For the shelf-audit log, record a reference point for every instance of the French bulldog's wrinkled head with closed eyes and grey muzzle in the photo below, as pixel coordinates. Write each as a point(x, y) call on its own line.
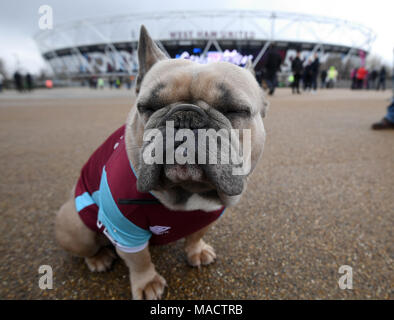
point(178, 102)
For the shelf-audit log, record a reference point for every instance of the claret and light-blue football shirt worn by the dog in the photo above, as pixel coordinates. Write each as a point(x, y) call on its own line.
point(107, 201)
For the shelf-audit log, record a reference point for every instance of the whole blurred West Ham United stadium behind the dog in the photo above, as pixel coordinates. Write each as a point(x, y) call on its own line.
point(107, 46)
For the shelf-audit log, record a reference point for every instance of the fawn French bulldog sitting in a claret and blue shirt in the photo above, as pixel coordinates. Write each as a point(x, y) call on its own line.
point(124, 199)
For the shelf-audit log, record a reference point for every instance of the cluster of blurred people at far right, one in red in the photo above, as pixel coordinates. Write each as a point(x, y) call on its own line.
point(362, 78)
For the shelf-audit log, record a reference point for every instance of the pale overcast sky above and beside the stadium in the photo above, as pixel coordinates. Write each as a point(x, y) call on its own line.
point(19, 19)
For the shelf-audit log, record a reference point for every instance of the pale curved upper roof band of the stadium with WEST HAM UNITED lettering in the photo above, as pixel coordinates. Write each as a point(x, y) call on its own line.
point(227, 24)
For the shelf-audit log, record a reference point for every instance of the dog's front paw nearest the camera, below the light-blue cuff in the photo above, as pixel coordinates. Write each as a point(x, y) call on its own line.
point(147, 285)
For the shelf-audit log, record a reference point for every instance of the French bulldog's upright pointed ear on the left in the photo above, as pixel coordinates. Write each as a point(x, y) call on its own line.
point(148, 54)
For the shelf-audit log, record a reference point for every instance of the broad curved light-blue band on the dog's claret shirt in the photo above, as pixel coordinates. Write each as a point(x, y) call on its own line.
point(119, 228)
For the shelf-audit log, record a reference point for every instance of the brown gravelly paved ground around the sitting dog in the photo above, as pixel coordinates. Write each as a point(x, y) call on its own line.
point(322, 197)
